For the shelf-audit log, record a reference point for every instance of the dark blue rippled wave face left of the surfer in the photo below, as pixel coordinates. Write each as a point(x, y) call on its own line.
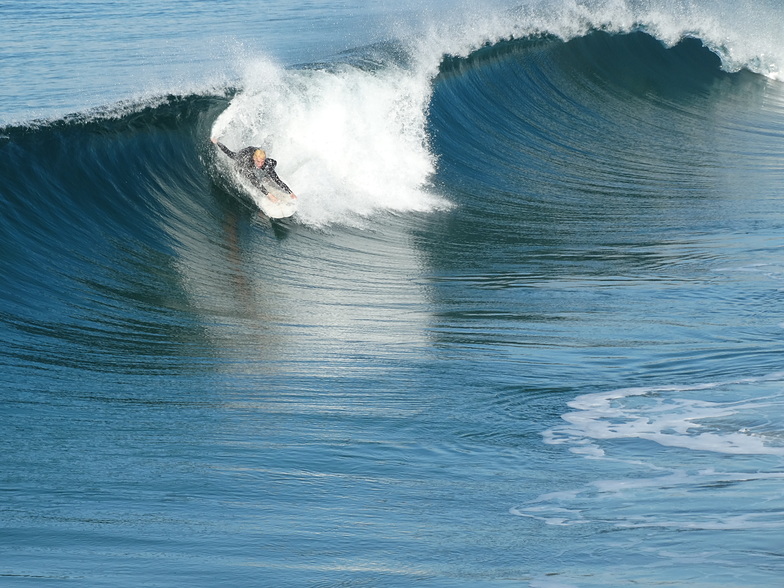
point(94, 209)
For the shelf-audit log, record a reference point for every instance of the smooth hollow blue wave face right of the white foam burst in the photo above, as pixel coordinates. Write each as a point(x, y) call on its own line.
point(617, 114)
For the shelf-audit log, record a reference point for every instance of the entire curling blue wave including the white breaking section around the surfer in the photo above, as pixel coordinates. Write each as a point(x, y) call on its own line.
point(511, 132)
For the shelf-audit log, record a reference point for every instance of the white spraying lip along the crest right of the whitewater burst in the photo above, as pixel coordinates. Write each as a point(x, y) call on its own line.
point(743, 35)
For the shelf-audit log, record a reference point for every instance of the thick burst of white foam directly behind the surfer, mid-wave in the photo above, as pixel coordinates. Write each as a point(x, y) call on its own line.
point(349, 142)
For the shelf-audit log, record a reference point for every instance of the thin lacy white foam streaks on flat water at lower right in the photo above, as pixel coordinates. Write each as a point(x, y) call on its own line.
point(667, 484)
